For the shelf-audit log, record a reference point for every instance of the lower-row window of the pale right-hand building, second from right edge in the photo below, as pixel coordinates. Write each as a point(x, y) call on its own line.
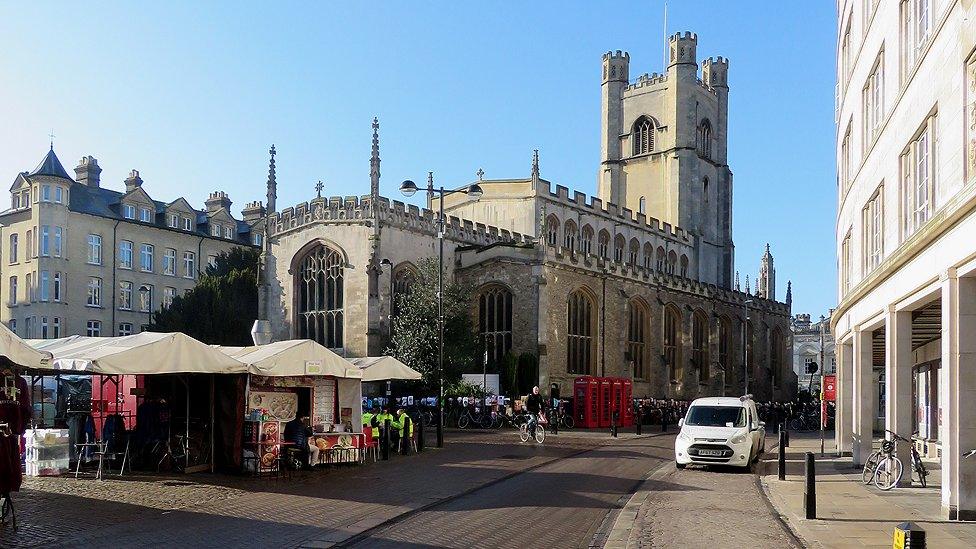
point(917, 174)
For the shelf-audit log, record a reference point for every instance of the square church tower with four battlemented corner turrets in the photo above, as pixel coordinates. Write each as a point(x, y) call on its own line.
point(664, 148)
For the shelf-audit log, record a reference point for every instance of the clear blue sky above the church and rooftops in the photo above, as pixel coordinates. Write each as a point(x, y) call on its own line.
point(193, 96)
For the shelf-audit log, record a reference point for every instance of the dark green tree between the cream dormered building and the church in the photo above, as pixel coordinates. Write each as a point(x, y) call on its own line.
point(223, 305)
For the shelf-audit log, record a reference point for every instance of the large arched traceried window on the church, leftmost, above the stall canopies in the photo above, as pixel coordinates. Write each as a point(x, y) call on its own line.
point(320, 297)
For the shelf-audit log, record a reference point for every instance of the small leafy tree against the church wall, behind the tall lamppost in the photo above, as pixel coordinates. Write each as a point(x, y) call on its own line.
point(414, 340)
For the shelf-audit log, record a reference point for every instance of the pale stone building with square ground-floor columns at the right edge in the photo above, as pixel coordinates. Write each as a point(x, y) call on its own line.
point(905, 325)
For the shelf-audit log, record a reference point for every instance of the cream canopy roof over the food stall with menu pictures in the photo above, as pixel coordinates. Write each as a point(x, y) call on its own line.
point(294, 357)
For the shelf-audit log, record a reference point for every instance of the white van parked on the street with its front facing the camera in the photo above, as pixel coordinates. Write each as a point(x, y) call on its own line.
point(720, 431)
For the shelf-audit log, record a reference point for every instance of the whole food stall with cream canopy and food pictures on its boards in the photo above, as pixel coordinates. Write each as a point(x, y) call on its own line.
point(292, 380)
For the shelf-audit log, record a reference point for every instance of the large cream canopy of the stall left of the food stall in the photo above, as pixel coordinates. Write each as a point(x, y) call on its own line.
point(143, 353)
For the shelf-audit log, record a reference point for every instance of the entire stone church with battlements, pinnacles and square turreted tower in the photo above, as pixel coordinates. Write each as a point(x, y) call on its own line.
point(636, 282)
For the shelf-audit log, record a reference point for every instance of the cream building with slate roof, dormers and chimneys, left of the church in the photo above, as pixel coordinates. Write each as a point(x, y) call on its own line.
point(78, 258)
